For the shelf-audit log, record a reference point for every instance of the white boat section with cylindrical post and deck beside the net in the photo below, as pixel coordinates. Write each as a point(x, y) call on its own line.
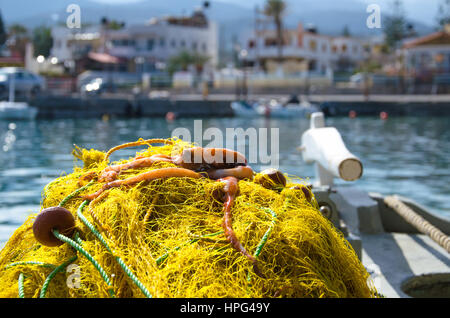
point(407, 256)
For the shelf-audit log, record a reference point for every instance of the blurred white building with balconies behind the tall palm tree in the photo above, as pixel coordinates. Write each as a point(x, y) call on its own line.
point(304, 49)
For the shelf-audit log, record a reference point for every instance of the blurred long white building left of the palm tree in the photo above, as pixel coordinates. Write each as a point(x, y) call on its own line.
point(137, 48)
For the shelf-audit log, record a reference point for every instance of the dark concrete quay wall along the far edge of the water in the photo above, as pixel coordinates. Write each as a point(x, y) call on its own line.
point(194, 105)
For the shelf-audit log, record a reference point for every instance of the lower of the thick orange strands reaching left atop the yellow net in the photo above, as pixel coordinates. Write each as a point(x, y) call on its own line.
point(146, 176)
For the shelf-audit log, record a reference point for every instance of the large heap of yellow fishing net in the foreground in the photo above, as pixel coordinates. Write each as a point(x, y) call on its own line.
point(164, 238)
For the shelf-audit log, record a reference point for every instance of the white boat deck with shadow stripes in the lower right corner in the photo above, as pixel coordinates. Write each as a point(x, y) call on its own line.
point(399, 256)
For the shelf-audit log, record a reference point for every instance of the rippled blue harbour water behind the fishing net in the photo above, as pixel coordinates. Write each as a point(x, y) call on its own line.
point(409, 156)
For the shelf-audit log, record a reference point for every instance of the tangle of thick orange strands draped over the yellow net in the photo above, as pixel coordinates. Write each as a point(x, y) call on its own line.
point(223, 165)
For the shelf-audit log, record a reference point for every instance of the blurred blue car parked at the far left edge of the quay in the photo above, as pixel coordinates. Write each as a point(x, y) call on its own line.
point(25, 82)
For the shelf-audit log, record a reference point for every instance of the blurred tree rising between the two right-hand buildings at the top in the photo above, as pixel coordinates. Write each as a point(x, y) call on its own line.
point(395, 26)
